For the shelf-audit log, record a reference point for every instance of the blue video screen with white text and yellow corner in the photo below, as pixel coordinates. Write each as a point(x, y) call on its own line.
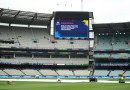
point(71, 28)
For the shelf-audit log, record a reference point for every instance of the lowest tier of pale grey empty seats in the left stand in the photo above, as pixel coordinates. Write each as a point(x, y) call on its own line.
point(45, 72)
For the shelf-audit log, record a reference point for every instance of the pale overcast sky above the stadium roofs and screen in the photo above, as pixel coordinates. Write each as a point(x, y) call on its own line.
point(105, 11)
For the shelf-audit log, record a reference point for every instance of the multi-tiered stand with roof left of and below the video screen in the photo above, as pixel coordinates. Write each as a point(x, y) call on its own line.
point(28, 51)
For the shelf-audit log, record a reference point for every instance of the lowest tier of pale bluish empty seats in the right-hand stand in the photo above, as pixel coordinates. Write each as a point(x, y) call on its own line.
point(111, 73)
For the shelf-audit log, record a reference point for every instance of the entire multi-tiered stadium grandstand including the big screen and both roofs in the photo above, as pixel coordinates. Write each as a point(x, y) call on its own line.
point(29, 51)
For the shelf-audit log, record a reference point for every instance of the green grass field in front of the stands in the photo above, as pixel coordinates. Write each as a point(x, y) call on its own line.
point(63, 86)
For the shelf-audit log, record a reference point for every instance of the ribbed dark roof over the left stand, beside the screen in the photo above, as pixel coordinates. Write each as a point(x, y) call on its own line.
point(24, 17)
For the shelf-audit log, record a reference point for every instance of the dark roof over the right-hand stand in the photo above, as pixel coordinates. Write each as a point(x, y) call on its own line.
point(112, 28)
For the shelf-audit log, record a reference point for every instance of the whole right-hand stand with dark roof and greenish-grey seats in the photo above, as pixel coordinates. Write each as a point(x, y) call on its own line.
point(111, 49)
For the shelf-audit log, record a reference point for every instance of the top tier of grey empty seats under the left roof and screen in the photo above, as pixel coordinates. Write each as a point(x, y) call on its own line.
point(26, 37)
